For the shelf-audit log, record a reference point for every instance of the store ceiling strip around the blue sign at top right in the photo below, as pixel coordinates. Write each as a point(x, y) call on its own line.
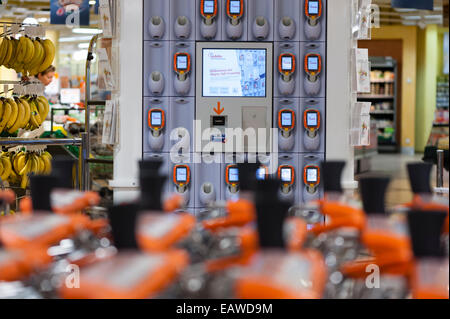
point(390, 16)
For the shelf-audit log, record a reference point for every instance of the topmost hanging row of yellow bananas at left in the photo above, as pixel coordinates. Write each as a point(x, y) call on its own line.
point(25, 55)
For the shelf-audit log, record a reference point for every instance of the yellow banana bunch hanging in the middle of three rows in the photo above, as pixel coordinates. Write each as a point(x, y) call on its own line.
point(25, 112)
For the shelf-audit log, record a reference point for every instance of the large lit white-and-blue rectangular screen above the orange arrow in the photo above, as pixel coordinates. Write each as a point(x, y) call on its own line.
point(234, 73)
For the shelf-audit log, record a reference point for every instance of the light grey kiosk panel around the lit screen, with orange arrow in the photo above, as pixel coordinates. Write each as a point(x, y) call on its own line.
point(239, 111)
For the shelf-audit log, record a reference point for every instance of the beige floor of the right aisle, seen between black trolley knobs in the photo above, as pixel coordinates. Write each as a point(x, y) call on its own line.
point(394, 165)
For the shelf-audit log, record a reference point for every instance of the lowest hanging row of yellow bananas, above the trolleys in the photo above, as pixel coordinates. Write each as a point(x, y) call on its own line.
point(16, 167)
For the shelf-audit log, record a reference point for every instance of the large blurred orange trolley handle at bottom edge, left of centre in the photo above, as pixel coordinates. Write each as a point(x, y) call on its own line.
point(128, 275)
